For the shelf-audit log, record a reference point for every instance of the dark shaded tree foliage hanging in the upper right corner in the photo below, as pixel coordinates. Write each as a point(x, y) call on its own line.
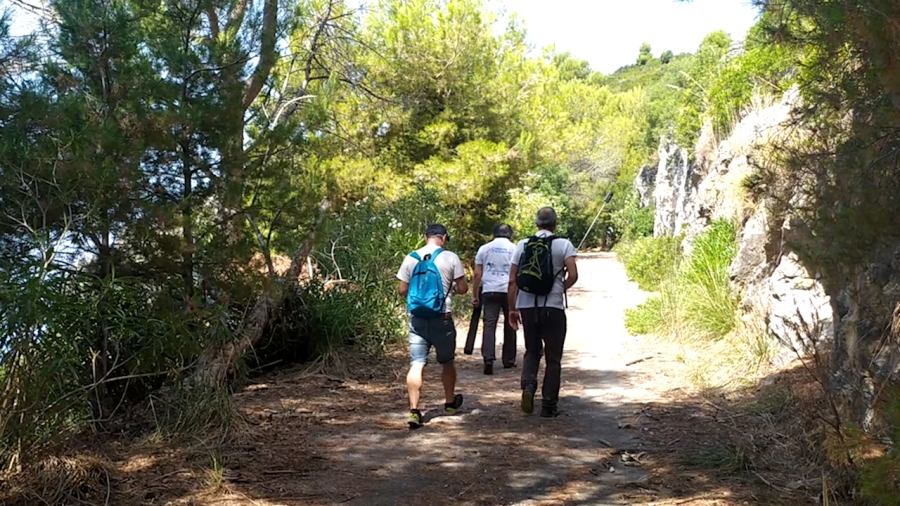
point(844, 166)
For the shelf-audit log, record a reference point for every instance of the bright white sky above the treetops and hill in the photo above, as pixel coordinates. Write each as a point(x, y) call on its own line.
point(608, 33)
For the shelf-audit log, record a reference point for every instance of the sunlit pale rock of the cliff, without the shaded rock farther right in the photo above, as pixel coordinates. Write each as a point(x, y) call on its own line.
point(689, 195)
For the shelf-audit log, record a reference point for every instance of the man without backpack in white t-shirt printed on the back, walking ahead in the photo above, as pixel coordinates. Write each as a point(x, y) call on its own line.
point(492, 263)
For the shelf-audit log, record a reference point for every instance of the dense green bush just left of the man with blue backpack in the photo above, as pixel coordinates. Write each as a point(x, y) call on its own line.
point(355, 301)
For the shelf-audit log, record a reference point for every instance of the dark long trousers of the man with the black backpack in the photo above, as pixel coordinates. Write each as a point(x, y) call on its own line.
point(545, 333)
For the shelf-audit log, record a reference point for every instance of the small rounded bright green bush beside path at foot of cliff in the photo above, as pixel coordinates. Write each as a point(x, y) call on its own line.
point(649, 260)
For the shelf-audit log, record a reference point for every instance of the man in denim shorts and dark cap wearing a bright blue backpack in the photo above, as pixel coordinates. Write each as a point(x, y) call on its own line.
point(428, 277)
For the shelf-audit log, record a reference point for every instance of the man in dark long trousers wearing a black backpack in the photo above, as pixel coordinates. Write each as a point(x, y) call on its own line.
point(543, 268)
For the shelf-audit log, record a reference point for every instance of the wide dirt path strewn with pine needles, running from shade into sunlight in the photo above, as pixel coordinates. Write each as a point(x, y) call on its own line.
point(628, 433)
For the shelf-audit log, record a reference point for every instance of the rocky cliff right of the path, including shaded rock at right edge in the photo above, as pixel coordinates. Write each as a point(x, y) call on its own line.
point(855, 320)
